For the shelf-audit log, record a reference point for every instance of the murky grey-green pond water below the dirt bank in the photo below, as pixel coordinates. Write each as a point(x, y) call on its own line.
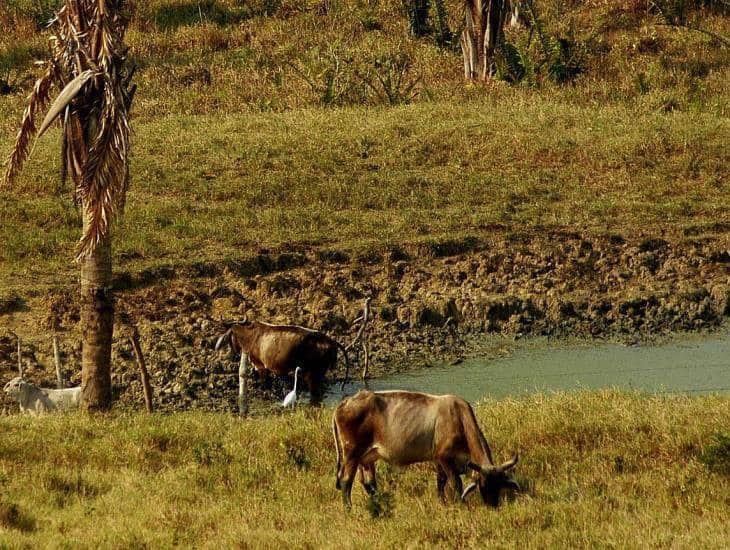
point(689, 364)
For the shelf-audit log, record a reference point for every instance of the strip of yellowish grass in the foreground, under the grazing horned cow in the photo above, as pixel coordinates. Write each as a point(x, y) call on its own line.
point(600, 469)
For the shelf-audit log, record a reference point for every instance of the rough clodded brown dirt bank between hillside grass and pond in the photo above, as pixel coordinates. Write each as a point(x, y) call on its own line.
point(427, 302)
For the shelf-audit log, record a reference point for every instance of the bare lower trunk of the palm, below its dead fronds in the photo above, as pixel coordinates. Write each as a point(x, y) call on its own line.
point(97, 325)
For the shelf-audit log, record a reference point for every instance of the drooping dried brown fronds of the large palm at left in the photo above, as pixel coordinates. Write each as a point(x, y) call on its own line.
point(88, 65)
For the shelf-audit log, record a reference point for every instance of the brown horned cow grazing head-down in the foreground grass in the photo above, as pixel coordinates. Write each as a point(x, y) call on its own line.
point(407, 427)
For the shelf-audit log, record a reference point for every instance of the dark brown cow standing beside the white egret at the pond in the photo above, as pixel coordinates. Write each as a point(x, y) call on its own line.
point(279, 349)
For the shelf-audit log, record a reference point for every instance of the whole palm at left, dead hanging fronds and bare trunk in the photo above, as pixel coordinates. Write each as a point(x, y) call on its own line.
point(88, 65)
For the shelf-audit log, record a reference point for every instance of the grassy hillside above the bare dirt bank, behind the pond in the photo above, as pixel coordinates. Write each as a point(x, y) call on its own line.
point(262, 125)
